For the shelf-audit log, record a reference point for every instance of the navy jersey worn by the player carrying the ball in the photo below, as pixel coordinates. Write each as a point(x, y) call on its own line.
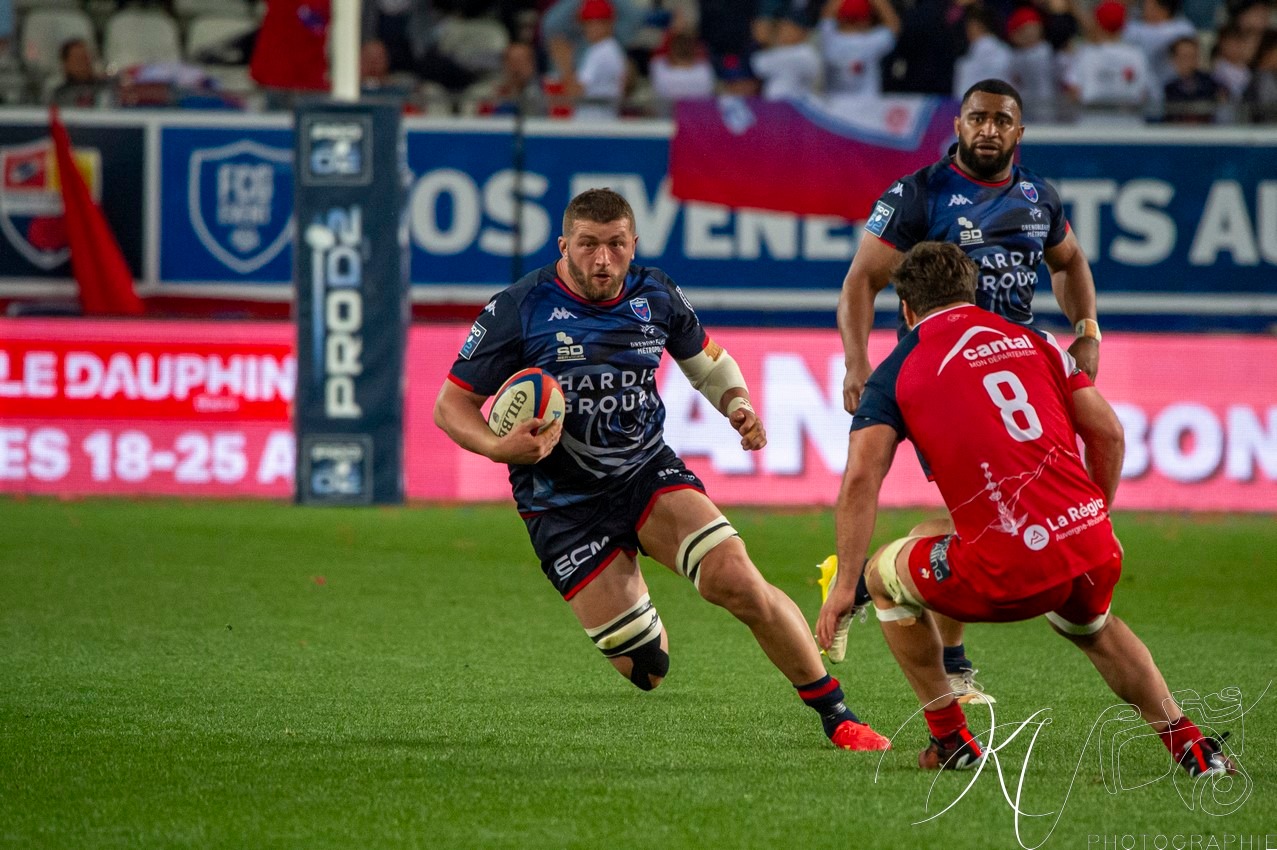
point(605, 354)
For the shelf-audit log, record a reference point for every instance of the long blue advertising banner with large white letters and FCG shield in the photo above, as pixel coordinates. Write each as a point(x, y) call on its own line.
point(1169, 214)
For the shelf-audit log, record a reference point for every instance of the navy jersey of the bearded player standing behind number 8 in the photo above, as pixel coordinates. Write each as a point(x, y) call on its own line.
point(1004, 227)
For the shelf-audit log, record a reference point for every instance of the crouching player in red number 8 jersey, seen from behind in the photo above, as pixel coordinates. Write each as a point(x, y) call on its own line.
point(1031, 535)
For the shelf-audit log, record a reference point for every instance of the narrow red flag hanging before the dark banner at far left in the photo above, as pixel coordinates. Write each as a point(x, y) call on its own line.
point(104, 278)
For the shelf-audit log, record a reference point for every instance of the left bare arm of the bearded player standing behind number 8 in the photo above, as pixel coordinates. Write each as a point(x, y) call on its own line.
point(872, 271)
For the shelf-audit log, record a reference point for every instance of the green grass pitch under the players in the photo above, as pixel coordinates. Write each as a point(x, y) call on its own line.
point(257, 676)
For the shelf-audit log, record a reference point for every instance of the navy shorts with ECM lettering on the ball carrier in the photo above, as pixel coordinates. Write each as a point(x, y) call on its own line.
point(577, 543)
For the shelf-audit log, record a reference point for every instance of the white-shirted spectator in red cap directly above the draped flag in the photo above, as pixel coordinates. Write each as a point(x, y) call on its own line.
point(855, 36)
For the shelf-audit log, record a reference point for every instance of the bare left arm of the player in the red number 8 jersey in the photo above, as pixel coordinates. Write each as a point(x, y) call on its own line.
point(869, 458)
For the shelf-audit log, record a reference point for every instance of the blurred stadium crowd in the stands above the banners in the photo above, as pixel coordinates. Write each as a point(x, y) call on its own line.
point(1198, 62)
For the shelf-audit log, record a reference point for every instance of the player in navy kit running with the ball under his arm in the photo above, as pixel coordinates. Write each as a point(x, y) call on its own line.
point(602, 487)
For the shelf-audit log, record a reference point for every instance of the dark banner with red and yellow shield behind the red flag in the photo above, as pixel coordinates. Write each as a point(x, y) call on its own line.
point(33, 238)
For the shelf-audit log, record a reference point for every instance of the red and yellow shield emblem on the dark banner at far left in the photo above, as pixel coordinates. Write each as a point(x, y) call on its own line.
point(31, 200)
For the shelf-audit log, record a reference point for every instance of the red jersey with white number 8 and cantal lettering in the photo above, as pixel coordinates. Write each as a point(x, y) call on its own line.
point(989, 405)
